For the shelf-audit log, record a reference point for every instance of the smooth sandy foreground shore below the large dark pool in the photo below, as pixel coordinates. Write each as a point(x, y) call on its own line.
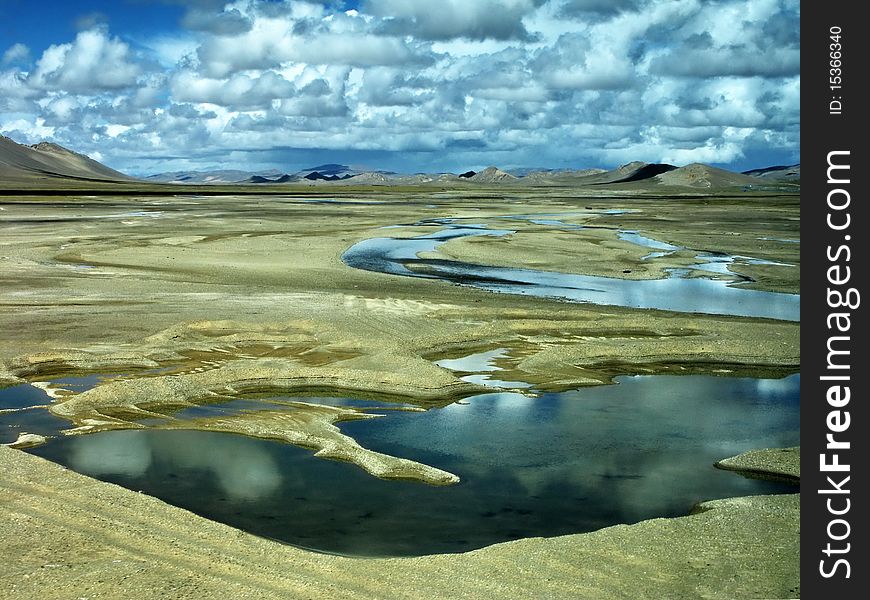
point(58, 544)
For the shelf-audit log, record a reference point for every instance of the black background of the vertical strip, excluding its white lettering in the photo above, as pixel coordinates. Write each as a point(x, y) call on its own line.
point(821, 133)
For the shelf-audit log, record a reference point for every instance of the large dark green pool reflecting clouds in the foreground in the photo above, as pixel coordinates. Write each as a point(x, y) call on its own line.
point(556, 464)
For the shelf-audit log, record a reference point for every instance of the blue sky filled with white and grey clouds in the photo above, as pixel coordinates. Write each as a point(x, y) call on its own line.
point(149, 86)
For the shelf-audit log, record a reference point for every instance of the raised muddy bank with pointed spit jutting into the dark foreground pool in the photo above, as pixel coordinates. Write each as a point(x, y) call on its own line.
point(212, 362)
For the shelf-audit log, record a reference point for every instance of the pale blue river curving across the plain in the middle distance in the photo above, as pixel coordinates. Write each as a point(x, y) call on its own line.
point(399, 256)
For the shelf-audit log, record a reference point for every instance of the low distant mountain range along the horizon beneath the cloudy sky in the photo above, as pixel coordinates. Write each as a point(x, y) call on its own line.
point(46, 162)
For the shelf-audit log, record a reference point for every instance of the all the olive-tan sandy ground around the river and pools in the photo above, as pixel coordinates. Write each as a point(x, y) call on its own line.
point(195, 299)
